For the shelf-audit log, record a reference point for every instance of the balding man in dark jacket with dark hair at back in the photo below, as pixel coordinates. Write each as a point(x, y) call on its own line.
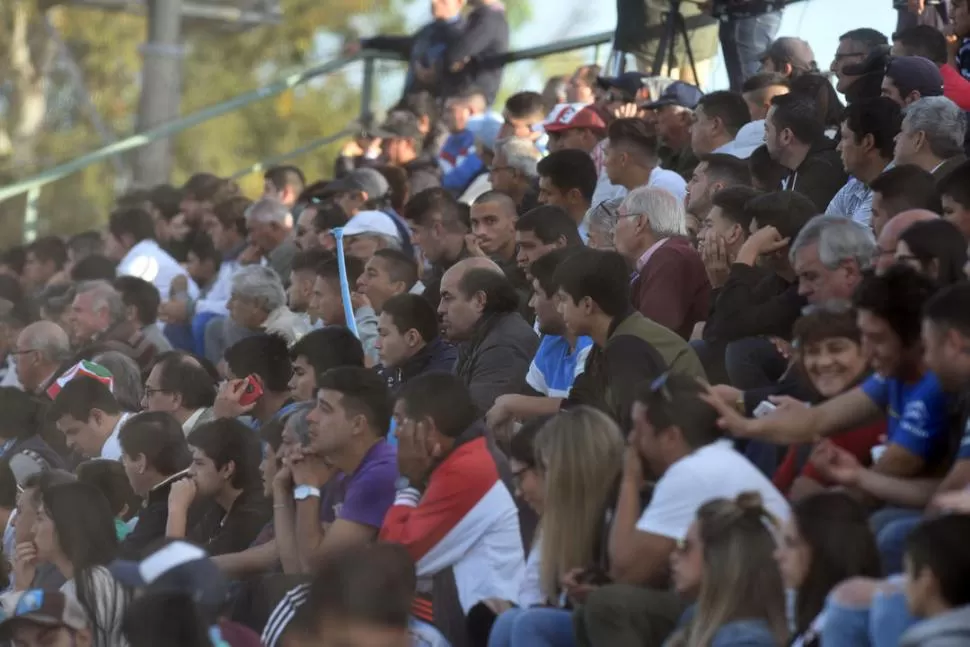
point(479, 310)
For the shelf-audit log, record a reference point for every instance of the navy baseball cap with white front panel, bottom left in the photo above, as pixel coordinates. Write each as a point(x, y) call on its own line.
point(177, 567)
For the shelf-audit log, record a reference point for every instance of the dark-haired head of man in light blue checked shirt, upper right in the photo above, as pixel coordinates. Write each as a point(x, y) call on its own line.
point(867, 137)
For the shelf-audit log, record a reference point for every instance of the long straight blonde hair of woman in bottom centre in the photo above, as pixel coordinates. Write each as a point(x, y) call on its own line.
point(581, 451)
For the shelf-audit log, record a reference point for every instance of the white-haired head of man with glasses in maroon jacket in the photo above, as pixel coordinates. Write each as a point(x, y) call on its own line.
point(647, 216)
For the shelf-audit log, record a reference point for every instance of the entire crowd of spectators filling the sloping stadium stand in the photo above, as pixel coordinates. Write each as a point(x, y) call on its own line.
point(621, 363)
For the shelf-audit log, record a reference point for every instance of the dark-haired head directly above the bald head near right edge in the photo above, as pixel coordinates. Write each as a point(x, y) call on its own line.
point(902, 188)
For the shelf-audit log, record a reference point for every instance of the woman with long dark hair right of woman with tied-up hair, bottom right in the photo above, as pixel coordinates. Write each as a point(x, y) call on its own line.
point(826, 541)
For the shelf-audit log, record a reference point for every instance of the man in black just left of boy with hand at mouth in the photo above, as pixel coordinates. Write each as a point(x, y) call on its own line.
point(155, 454)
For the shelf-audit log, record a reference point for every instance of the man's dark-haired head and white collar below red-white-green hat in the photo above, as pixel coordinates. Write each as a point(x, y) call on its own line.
point(89, 417)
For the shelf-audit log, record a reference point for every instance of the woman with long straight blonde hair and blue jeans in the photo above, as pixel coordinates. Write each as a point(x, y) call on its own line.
point(580, 456)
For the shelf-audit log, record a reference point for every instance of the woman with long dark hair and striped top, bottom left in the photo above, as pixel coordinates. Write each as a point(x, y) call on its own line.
point(75, 531)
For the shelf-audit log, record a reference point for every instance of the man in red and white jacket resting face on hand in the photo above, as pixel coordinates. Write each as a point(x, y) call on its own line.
point(453, 512)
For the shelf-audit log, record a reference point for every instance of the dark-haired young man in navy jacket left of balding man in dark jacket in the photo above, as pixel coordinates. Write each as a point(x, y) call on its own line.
point(408, 341)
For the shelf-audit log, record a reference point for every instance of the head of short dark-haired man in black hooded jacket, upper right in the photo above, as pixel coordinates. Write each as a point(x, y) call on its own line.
point(792, 127)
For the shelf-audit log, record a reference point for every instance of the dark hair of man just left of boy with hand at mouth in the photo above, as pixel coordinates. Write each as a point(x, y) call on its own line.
point(159, 437)
